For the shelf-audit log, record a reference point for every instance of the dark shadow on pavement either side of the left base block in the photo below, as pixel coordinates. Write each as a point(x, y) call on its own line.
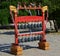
point(6, 47)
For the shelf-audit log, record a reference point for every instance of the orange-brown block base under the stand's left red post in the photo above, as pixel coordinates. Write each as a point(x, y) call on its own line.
point(16, 49)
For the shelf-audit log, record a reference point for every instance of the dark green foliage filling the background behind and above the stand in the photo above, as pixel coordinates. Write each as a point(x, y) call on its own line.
point(53, 7)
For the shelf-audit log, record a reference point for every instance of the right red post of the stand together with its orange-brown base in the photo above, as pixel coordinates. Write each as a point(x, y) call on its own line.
point(43, 44)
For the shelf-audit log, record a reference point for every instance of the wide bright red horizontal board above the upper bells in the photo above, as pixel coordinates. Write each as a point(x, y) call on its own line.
point(29, 19)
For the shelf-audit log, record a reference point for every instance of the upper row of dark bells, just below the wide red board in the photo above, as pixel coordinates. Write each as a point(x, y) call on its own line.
point(31, 25)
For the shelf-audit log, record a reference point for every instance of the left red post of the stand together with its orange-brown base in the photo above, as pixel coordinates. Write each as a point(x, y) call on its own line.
point(15, 48)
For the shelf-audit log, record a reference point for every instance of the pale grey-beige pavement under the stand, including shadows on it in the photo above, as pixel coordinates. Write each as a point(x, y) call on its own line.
point(29, 48)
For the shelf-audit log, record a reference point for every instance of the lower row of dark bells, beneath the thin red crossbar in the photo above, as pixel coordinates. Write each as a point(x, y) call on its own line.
point(29, 39)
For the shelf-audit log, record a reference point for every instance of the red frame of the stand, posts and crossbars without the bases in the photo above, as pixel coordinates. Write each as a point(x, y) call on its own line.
point(18, 19)
